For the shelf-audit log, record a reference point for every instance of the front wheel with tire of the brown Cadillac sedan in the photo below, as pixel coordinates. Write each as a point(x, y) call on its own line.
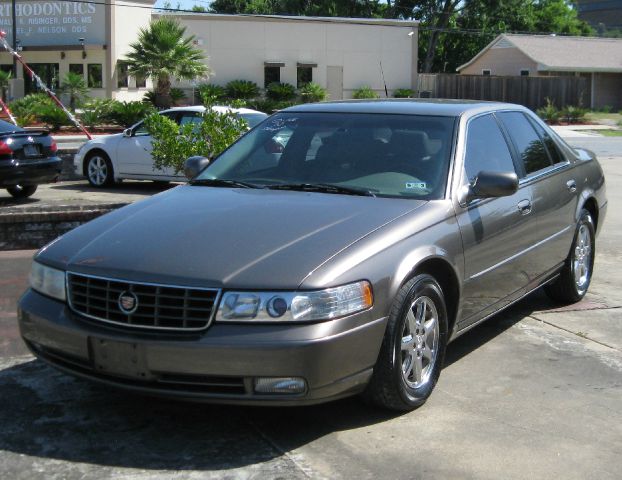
point(397, 383)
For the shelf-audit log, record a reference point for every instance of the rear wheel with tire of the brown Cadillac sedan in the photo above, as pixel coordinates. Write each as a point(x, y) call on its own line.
point(576, 274)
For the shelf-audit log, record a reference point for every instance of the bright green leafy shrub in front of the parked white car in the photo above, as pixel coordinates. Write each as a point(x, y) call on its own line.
point(173, 144)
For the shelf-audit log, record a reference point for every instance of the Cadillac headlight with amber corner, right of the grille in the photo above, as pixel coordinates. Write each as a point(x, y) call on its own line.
point(295, 306)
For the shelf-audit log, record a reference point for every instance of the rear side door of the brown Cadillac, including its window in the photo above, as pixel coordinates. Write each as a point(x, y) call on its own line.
point(554, 187)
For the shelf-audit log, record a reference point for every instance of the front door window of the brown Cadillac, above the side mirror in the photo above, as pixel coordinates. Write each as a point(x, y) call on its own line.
point(486, 148)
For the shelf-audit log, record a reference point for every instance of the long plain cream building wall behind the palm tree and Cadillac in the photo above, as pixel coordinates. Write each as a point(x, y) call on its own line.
point(237, 49)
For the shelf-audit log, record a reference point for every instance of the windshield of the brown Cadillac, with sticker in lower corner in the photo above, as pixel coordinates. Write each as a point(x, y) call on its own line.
point(375, 154)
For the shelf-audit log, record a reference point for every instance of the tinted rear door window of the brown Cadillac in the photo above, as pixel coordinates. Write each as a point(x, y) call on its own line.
point(527, 142)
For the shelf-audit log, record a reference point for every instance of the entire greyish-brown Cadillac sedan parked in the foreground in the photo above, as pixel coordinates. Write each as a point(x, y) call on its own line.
point(341, 261)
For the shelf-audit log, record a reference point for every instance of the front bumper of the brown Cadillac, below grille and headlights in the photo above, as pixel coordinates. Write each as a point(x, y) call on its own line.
point(219, 365)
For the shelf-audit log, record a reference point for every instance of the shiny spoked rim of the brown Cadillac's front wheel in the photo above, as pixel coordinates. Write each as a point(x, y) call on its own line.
point(419, 344)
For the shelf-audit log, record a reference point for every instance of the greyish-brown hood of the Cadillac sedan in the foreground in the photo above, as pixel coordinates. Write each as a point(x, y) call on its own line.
point(223, 237)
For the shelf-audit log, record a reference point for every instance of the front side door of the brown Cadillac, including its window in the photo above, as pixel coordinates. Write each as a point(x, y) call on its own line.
point(497, 233)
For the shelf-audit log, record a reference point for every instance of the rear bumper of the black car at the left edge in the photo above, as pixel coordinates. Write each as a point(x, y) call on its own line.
point(32, 172)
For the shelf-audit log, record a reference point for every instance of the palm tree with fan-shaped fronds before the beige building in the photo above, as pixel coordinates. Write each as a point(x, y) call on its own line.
point(163, 53)
